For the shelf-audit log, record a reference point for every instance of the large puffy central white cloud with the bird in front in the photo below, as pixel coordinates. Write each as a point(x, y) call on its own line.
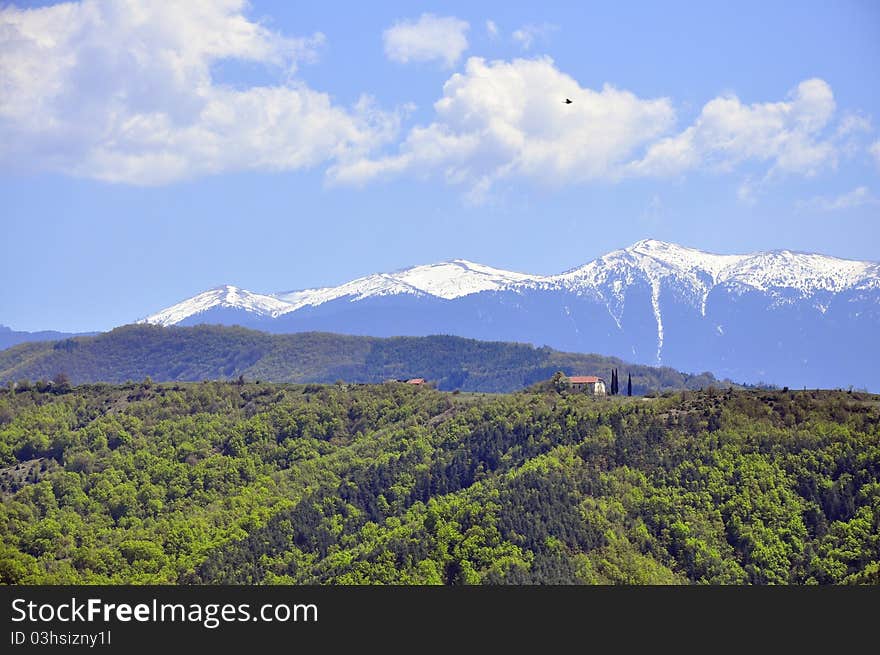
point(499, 120)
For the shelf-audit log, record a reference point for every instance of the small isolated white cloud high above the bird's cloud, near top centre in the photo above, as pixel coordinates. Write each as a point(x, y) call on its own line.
point(427, 39)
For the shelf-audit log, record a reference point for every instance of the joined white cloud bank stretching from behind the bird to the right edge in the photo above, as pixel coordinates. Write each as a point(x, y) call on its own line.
point(500, 120)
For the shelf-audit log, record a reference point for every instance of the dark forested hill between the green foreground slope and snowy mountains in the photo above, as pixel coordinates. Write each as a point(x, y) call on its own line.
point(215, 353)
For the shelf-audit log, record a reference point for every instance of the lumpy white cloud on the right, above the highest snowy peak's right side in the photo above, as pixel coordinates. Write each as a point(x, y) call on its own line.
point(786, 135)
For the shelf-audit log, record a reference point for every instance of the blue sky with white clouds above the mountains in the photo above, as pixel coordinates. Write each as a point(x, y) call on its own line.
point(150, 150)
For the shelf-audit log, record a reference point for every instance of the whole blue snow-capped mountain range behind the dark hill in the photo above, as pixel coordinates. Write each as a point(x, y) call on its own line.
point(777, 316)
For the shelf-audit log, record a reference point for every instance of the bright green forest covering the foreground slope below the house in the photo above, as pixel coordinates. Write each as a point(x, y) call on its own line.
point(225, 482)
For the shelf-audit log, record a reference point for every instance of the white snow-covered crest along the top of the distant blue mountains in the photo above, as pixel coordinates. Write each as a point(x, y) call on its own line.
point(650, 256)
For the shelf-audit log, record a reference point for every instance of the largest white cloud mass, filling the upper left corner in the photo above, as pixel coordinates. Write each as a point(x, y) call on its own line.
point(124, 93)
